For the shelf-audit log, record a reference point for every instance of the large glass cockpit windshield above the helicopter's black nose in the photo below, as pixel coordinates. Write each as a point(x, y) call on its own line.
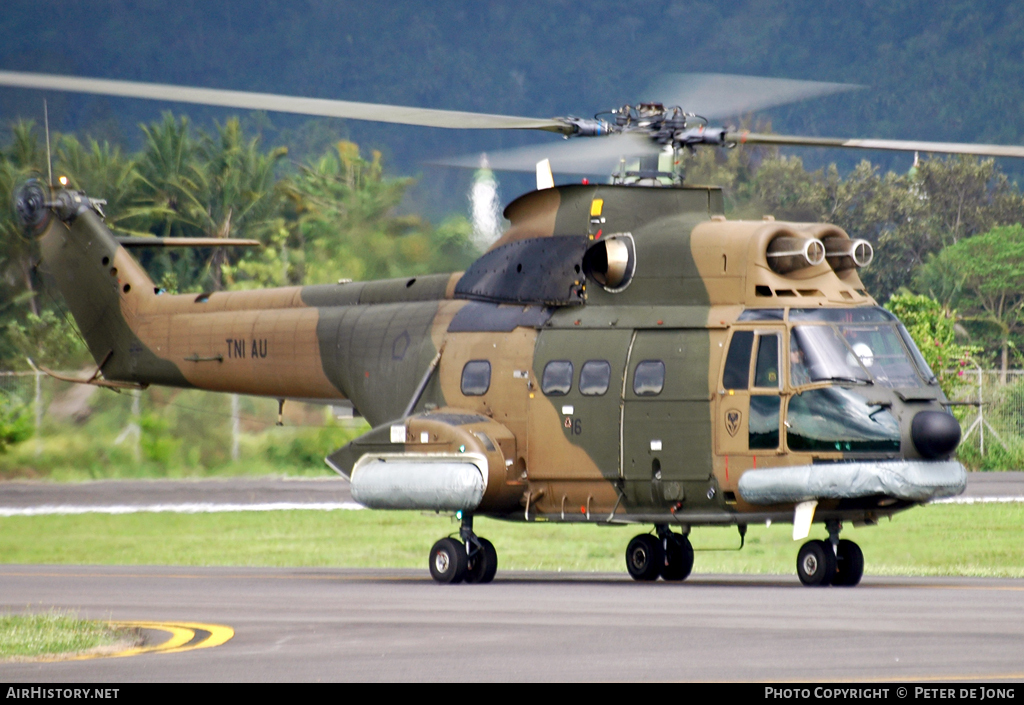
point(866, 353)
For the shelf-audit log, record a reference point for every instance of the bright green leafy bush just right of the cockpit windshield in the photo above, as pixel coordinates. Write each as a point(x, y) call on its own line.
point(933, 329)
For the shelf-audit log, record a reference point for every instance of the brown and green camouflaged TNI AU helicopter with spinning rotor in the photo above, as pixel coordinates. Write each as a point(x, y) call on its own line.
point(622, 355)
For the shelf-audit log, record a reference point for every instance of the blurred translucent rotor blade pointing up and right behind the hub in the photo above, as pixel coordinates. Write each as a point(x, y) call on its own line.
point(726, 96)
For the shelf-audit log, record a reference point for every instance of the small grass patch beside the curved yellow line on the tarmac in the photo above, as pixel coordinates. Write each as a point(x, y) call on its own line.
point(57, 633)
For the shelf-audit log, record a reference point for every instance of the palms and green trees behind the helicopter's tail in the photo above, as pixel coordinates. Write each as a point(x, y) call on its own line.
point(335, 217)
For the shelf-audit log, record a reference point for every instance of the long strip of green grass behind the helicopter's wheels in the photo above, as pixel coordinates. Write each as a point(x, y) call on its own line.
point(967, 541)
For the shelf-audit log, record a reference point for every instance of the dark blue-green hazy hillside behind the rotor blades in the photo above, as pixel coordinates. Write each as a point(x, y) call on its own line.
point(944, 70)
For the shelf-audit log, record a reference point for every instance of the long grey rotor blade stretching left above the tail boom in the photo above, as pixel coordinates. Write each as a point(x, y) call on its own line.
point(425, 117)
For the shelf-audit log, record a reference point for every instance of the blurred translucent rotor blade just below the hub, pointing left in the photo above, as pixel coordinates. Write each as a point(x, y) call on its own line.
point(572, 157)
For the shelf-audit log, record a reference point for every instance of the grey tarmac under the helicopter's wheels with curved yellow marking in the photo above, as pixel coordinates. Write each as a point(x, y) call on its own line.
point(307, 626)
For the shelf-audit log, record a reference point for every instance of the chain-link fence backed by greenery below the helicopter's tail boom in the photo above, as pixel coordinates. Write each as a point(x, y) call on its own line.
point(86, 427)
